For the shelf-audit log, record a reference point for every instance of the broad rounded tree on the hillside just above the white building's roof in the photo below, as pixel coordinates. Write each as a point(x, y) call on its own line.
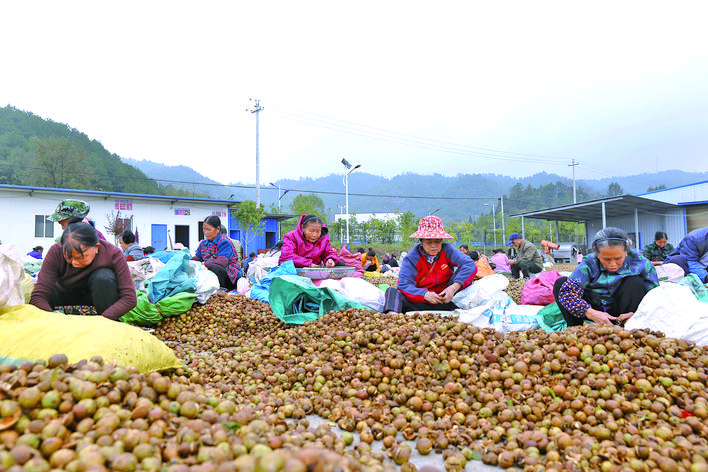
point(59, 163)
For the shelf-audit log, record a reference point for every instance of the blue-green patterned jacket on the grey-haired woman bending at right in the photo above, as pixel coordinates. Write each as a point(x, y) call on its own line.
point(592, 286)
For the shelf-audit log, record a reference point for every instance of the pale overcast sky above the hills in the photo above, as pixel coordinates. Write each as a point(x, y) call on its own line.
point(429, 87)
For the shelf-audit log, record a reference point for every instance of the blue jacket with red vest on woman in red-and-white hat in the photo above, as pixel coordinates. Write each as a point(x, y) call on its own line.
point(417, 276)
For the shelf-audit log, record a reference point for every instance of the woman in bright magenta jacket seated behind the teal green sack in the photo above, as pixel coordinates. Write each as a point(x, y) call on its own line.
point(308, 244)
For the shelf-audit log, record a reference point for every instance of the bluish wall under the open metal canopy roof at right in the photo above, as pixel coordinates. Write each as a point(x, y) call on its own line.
point(672, 222)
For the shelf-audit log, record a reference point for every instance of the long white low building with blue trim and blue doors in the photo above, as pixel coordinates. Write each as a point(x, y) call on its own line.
point(157, 220)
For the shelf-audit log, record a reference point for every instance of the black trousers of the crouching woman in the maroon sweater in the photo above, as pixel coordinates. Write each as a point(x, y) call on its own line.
point(101, 293)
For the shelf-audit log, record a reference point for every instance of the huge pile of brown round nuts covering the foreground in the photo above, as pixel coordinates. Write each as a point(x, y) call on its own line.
point(589, 398)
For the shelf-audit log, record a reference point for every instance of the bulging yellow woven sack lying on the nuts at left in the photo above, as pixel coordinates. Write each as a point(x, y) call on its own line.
point(28, 333)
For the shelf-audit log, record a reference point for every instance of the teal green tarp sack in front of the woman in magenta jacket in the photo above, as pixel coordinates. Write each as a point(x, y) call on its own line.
point(296, 299)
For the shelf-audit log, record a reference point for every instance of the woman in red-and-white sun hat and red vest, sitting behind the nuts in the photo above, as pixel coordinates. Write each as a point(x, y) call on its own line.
point(431, 273)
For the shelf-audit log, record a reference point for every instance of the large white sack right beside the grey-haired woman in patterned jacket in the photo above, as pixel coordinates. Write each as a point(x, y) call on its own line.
point(674, 310)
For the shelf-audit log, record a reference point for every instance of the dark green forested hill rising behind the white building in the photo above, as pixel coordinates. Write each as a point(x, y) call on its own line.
point(35, 151)
